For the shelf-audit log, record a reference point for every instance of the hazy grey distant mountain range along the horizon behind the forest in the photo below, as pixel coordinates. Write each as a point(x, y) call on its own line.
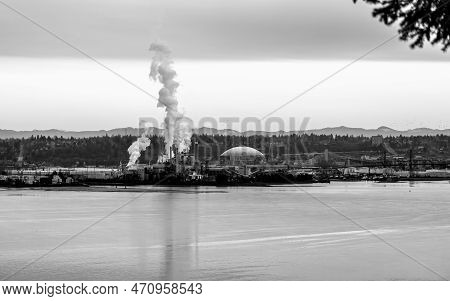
point(342, 130)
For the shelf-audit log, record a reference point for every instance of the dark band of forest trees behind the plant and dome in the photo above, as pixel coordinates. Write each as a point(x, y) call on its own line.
point(110, 151)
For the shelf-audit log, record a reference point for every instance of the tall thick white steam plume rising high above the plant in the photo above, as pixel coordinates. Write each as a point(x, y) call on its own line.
point(176, 132)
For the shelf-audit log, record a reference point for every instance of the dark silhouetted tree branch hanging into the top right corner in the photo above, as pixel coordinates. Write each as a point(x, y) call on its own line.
point(419, 20)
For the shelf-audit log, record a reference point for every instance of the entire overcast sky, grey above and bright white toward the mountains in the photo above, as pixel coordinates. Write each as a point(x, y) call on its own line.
point(234, 58)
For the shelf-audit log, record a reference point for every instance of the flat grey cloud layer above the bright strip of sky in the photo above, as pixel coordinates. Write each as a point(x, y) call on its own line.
point(230, 30)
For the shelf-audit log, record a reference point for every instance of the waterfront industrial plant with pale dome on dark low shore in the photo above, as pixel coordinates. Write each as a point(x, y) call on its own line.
point(237, 166)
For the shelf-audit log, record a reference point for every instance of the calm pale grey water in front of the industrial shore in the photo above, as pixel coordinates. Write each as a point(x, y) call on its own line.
point(246, 233)
